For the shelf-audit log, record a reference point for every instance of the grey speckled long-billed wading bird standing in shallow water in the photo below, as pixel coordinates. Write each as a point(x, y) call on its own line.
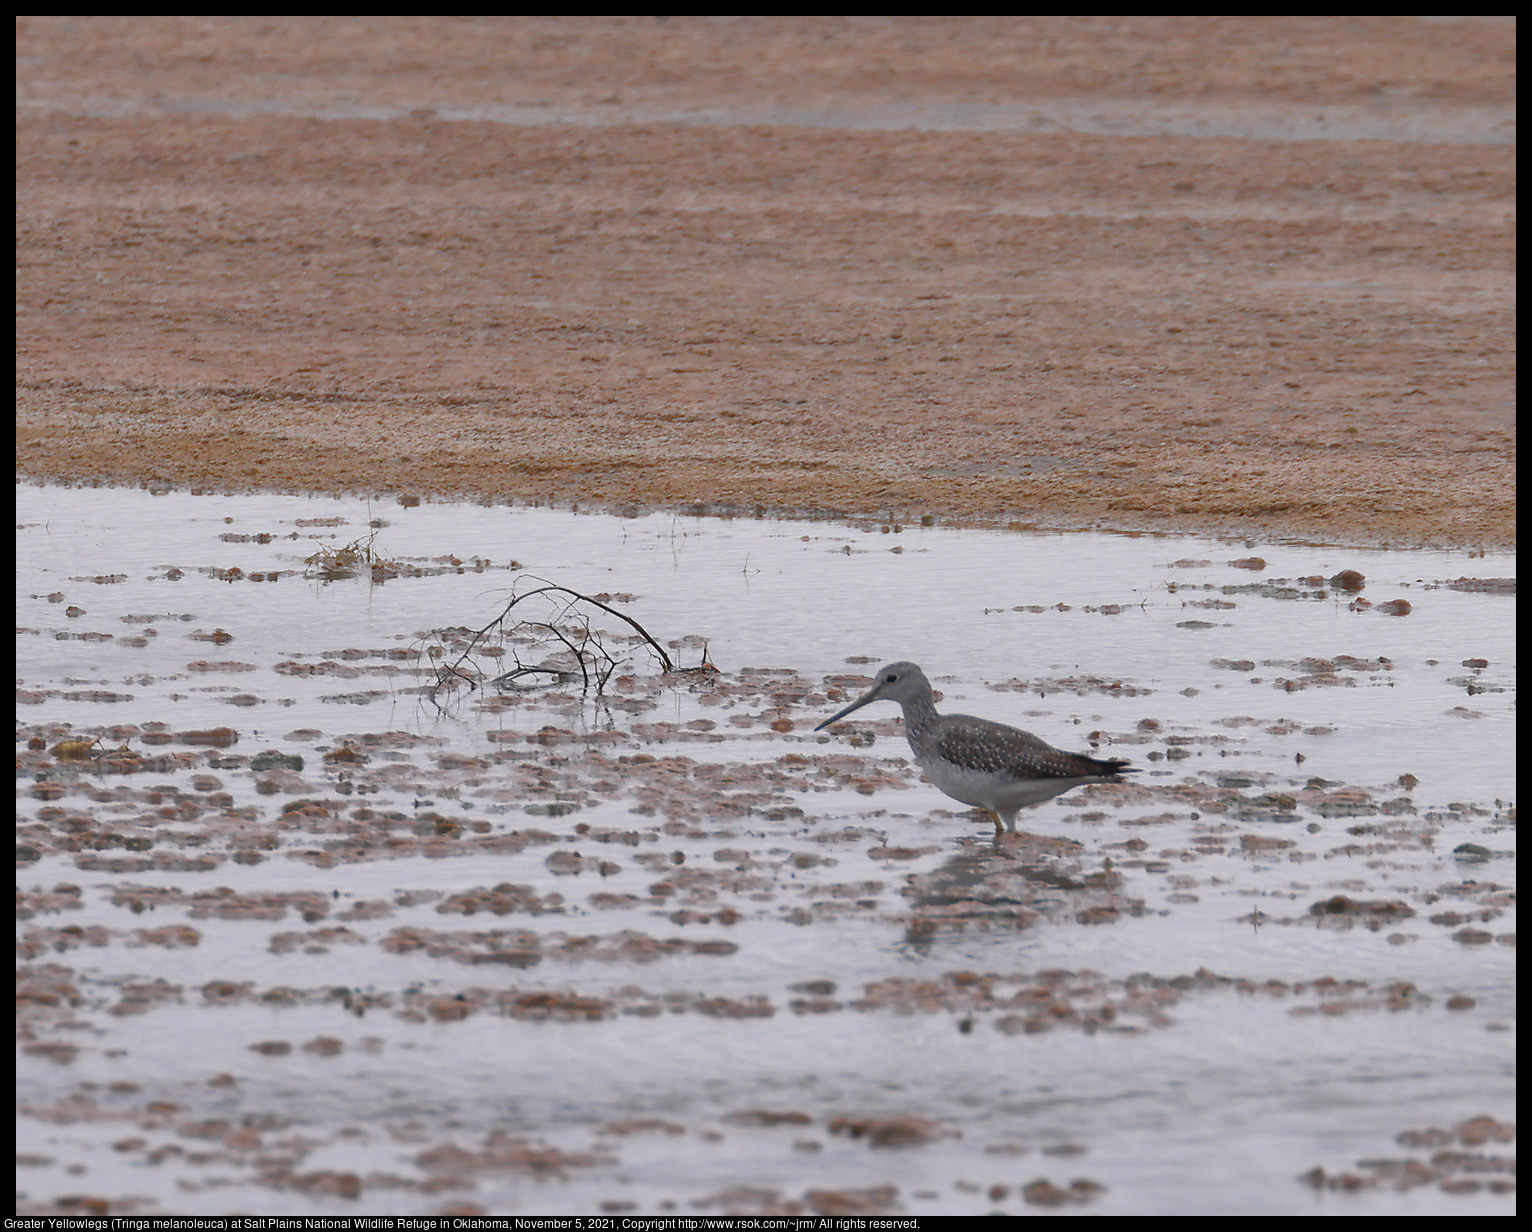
point(977, 761)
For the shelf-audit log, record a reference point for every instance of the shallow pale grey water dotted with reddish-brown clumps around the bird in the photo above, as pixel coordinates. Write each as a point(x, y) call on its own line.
point(678, 952)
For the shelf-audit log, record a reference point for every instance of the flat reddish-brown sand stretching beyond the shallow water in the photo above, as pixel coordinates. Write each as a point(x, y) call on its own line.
point(275, 254)
